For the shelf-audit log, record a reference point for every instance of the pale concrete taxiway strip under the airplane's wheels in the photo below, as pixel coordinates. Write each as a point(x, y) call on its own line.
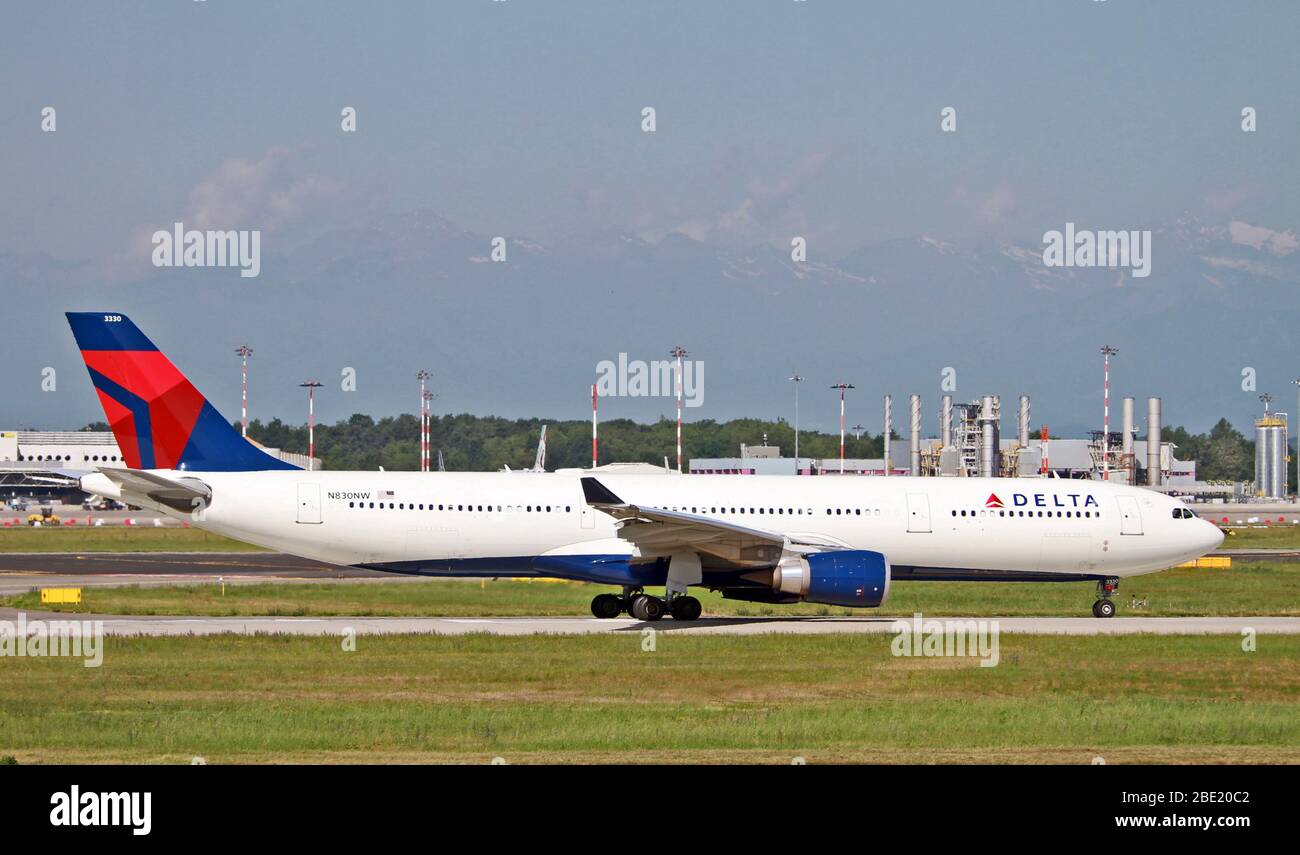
point(151, 626)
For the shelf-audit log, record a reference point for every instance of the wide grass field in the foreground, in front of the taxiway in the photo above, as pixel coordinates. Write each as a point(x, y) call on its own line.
point(571, 700)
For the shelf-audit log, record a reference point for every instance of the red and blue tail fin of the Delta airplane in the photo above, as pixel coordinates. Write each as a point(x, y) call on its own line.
point(161, 420)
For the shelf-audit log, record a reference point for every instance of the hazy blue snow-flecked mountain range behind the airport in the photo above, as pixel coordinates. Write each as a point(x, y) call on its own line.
point(523, 337)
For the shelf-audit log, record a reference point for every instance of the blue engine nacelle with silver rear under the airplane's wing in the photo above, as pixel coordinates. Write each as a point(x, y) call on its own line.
point(850, 578)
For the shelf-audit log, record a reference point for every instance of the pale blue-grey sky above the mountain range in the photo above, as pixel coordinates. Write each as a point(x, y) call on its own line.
point(523, 119)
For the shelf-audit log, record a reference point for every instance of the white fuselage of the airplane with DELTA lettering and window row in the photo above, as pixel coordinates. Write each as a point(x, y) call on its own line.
point(497, 523)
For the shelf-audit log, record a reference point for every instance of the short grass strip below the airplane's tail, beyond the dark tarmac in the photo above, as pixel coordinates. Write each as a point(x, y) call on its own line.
point(119, 539)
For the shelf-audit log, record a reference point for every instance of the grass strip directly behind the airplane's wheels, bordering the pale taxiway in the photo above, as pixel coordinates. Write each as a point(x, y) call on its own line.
point(1247, 589)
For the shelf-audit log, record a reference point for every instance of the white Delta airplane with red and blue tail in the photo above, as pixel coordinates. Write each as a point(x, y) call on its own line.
point(838, 541)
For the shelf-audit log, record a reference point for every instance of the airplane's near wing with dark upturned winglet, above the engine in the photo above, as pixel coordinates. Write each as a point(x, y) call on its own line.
point(717, 542)
